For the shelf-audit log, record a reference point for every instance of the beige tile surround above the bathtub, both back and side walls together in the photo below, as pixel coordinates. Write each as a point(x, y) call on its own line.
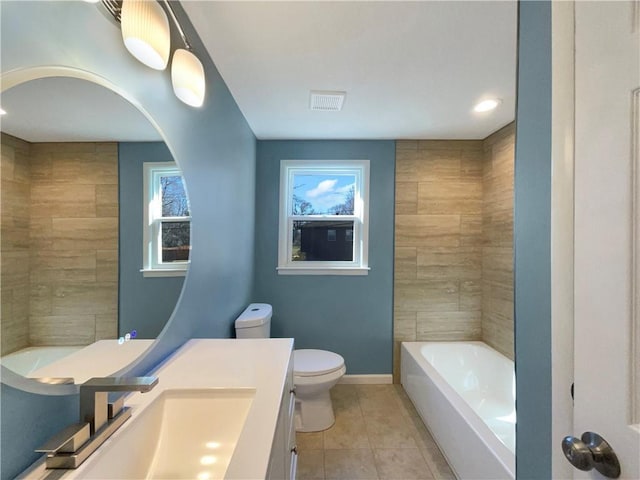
point(453, 241)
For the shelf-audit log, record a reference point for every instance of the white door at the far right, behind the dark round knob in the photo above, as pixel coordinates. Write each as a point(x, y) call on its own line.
point(607, 228)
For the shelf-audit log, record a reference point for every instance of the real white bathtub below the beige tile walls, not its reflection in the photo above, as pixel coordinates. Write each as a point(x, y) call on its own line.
point(465, 394)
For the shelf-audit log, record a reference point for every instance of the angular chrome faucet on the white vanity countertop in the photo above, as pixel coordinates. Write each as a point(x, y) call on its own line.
point(98, 420)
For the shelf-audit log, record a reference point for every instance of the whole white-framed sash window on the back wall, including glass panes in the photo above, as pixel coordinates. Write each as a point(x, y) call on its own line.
point(323, 217)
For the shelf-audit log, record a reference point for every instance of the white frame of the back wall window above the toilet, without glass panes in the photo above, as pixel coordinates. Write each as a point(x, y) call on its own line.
point(360, 218)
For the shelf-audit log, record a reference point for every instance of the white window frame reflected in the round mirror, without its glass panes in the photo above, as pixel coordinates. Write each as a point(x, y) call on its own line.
point(152, 222)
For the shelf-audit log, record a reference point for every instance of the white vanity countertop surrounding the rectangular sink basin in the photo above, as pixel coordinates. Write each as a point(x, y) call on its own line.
point(260, 364)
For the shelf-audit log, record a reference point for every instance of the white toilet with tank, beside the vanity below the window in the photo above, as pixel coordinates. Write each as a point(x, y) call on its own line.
point(314, 371)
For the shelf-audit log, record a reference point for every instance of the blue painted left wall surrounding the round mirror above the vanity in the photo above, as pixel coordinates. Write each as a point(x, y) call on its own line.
point(213, 145)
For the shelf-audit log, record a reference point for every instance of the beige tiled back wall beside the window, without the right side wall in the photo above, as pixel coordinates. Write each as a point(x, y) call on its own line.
point(438, 235)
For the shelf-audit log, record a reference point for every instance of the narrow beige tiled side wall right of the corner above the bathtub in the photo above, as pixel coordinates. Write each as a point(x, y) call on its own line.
point(497, 241)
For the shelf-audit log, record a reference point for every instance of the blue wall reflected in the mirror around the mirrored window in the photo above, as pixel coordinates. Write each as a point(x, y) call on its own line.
point(145, 303)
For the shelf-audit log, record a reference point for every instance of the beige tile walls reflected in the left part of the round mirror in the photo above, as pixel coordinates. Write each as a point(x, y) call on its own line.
point(59, 243)
